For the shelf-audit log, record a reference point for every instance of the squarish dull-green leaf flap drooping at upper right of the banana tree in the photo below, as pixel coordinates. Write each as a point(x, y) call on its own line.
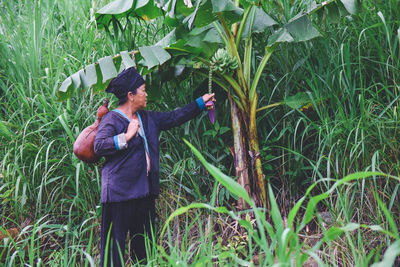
point(302, 29)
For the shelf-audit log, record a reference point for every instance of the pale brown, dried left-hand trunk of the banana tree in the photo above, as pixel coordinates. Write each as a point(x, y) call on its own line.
point(240, 155)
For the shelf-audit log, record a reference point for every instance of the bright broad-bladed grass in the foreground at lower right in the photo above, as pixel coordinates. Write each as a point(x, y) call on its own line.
point(278, 241)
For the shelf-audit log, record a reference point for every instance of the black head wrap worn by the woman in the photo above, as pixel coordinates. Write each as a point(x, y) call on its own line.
point(127, 81)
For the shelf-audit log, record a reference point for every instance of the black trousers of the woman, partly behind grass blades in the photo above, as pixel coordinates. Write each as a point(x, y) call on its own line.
point(136, 216)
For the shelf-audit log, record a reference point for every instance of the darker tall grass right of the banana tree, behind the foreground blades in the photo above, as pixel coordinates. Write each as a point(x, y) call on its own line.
point(351, 76)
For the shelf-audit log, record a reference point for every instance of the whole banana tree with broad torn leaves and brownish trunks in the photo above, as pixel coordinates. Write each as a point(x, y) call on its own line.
point(199, 29)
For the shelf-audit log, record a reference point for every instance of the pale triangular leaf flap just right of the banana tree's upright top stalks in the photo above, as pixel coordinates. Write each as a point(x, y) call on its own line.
point(257, 21)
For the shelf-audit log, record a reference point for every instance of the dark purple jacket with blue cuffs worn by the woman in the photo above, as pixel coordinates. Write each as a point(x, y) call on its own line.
point(124, 173)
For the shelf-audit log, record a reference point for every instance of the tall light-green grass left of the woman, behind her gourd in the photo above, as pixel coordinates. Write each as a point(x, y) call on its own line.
point(41, 181)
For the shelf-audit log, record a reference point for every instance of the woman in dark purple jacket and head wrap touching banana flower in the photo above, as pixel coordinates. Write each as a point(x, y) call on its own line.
point(128, 138)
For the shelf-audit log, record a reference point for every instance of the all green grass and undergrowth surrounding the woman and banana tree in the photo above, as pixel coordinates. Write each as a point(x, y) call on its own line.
point(327, 124)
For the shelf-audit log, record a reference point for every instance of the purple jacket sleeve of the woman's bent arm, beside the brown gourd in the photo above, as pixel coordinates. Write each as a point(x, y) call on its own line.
point(105, 143)
